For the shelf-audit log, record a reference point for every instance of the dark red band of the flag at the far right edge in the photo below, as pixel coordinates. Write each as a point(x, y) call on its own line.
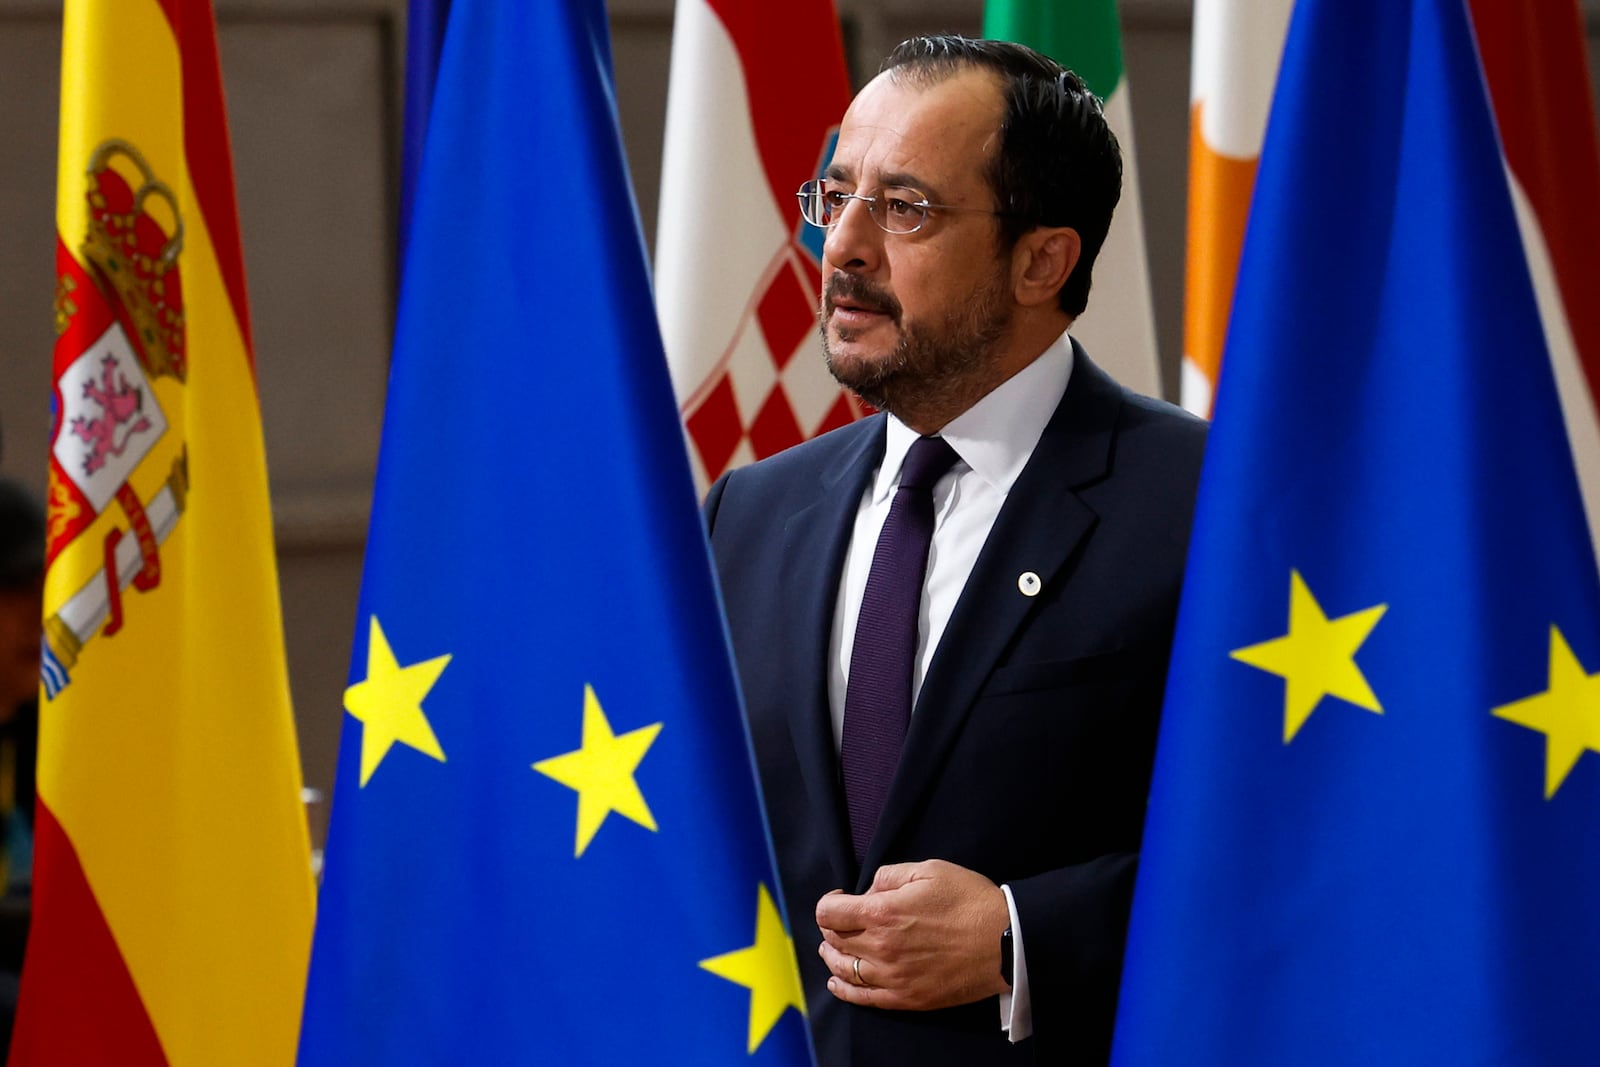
point(1534, 58)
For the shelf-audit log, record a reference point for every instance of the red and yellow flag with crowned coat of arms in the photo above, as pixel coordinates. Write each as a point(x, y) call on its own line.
point(174, 895)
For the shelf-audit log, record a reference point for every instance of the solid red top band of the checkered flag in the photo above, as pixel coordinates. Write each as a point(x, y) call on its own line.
point(794, 73)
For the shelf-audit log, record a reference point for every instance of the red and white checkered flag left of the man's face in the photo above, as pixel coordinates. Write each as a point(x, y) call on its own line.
point(756, 98)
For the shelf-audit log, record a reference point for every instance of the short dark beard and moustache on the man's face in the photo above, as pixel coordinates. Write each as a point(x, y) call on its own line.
point(942, 367)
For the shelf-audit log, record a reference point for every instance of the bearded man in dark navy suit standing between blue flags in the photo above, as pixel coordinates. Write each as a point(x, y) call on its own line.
point(962, 900)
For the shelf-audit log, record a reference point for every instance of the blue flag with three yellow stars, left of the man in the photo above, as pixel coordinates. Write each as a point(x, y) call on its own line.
point(546, 841)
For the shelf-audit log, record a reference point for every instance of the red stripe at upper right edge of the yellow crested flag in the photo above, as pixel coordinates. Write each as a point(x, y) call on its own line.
point(207, 150)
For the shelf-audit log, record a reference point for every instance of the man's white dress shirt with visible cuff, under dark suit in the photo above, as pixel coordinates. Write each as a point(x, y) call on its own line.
point(994, 439)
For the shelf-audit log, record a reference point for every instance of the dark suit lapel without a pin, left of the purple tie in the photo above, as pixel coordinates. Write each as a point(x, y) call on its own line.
point(815, 541)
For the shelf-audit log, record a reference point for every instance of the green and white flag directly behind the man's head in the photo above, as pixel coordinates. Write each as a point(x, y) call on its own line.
point(1119, 326)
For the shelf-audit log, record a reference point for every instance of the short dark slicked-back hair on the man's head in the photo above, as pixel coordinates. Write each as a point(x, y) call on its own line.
point(1058, 162)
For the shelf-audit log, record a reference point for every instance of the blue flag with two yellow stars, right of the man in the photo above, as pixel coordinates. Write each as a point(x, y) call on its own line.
point(1375, 825)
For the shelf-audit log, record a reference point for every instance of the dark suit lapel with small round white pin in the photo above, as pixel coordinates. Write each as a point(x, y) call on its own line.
point(1038, 530)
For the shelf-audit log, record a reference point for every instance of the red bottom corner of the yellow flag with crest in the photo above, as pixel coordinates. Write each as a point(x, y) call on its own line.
point(79, 1002)
